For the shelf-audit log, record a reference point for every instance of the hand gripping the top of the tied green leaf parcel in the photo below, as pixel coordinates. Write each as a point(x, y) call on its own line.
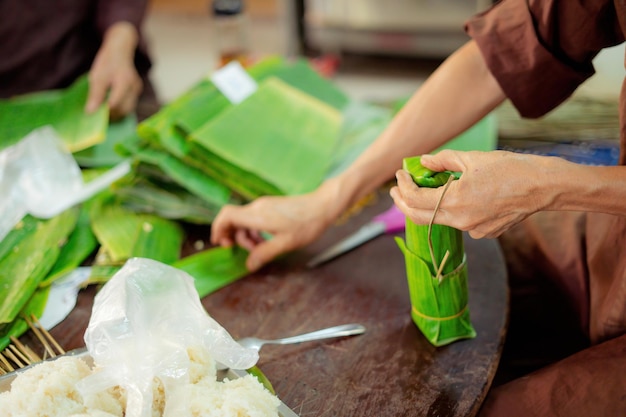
point(496, 190)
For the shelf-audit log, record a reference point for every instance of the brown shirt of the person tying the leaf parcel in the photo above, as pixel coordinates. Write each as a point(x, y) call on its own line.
point(540, 52)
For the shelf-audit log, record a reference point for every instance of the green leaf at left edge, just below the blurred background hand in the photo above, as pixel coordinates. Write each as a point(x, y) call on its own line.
point(63, 109)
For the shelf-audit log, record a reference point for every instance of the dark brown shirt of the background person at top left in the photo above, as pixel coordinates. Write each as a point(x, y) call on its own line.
point(47, 44)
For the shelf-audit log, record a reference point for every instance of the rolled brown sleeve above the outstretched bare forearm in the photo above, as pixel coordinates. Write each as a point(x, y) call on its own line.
point(541, 51)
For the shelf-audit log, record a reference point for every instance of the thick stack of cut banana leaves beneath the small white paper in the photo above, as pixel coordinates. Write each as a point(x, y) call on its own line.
point(193, 138)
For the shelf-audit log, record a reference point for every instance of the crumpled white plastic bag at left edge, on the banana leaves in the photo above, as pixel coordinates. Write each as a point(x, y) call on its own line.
point(39, 176)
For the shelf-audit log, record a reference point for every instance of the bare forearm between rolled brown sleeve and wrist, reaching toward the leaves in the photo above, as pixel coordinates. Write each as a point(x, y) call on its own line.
point(458, 94)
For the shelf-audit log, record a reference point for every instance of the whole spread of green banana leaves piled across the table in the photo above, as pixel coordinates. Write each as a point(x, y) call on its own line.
point(196, 154)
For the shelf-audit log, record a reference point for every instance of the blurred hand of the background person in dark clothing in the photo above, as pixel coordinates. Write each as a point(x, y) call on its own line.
point(113, 72)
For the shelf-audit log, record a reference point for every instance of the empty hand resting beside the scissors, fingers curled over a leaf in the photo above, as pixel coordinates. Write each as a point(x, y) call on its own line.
point(293, 222)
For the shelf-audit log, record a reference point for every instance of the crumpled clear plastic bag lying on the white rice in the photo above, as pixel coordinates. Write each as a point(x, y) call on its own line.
point(143, 321)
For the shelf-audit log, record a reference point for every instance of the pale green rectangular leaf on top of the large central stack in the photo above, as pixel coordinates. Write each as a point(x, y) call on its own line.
point(287, 141)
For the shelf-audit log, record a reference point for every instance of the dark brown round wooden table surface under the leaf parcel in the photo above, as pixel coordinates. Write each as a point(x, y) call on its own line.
point(391, 370)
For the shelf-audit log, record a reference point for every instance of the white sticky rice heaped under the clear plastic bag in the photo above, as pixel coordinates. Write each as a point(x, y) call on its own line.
point(49, 389)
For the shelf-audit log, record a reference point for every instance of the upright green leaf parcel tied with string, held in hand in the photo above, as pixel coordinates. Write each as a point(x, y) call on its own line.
point(436, 270)
